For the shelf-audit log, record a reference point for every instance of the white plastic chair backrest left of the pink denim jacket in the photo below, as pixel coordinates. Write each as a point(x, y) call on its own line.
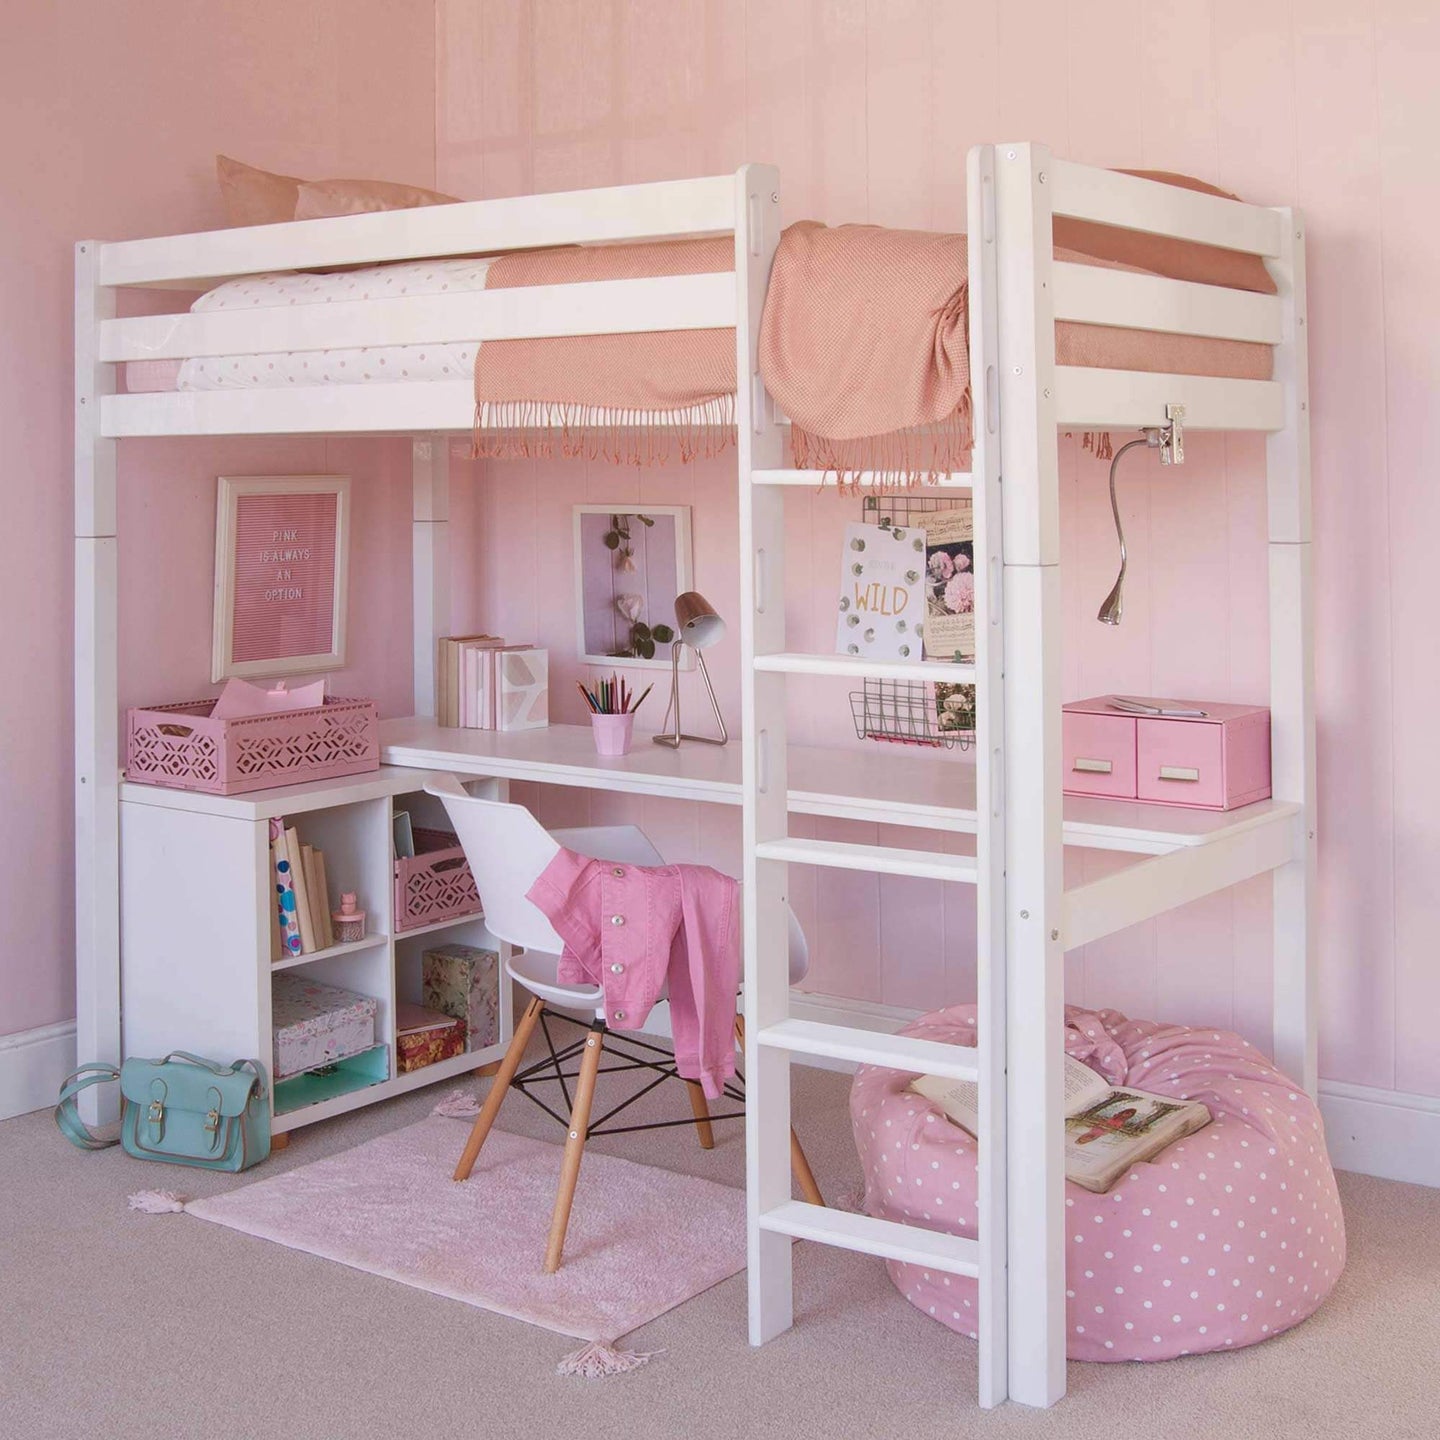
point(508, 850)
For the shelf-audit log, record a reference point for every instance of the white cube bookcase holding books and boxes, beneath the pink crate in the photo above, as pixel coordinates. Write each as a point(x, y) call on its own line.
point(197, 895)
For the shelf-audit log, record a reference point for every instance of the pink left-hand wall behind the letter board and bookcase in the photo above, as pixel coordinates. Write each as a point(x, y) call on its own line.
point(112, 117)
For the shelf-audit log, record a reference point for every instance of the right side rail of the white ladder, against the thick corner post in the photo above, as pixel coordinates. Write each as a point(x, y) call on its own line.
point(990, 765)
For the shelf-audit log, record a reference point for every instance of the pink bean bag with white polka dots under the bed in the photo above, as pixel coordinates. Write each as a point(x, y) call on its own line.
point(1225, 1239)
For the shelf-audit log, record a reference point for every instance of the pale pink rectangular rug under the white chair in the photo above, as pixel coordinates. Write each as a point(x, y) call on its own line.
point(642, 1241)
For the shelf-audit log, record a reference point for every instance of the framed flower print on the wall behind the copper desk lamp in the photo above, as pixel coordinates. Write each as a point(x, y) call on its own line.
point(663, 570)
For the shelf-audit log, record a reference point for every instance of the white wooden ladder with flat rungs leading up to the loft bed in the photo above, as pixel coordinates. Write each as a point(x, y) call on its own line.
point(774, 1039)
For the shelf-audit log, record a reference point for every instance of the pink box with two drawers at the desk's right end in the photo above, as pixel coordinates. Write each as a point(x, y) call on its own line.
point(1219, 761)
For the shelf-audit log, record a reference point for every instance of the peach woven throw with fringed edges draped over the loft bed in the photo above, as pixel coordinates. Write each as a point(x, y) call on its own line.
point(865, 348)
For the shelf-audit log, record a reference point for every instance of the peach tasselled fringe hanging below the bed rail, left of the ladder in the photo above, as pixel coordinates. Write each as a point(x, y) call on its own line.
point(545, 430)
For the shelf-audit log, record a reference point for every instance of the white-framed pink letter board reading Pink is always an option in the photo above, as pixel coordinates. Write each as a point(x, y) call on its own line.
point(282, 575)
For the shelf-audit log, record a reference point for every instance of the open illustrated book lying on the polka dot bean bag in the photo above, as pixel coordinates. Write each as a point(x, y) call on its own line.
point(1108, 1128)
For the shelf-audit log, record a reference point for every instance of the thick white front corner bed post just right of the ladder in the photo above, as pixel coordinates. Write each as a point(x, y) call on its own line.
point(1035, 957)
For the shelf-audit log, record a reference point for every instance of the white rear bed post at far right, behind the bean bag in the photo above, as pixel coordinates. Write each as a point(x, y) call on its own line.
point(1292, 670)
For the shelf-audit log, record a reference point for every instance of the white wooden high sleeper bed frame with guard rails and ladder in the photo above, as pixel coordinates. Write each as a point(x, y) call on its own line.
point(1026, 917)
